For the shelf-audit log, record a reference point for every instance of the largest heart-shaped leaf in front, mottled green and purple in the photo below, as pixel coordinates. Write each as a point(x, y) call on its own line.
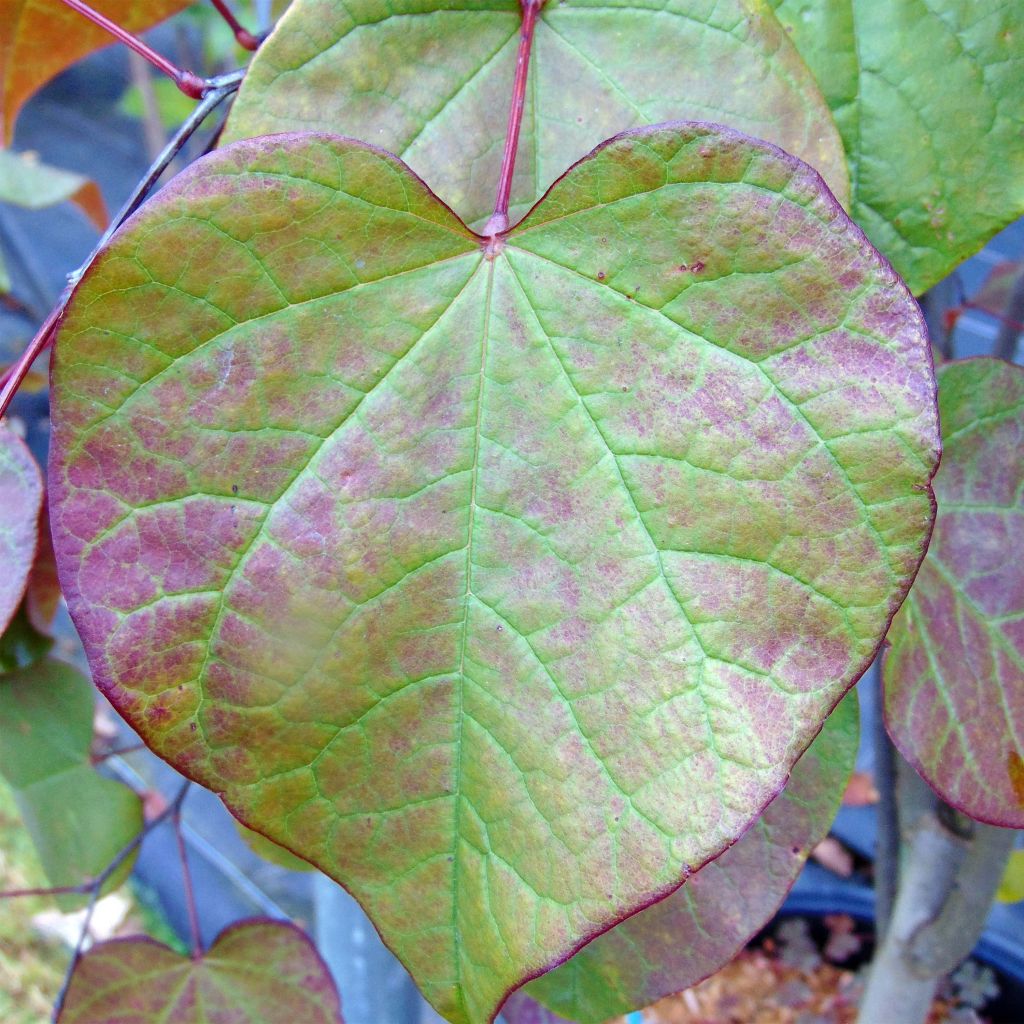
point(505, 582)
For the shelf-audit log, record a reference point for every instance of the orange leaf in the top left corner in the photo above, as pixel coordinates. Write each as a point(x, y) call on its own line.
point(41, 38)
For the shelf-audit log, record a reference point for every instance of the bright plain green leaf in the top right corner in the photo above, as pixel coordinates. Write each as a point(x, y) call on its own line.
point(927, 96)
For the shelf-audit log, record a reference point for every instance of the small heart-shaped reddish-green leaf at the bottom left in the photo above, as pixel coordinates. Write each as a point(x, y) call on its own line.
point(255, 973)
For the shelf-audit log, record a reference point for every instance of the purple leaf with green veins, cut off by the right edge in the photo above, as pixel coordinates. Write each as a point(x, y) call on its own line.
point(955, 675)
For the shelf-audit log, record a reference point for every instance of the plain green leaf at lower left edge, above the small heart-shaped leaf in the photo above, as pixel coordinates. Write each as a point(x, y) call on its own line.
point(78, 820)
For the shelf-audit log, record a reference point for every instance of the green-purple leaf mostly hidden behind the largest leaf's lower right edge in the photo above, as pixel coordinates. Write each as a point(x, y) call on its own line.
point(700, 928)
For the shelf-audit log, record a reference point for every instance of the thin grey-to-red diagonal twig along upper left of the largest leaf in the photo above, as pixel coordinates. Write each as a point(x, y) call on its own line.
point(224, 87)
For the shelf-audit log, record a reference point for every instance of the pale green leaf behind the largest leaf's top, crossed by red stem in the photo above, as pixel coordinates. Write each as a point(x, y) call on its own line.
point(430, 80)
